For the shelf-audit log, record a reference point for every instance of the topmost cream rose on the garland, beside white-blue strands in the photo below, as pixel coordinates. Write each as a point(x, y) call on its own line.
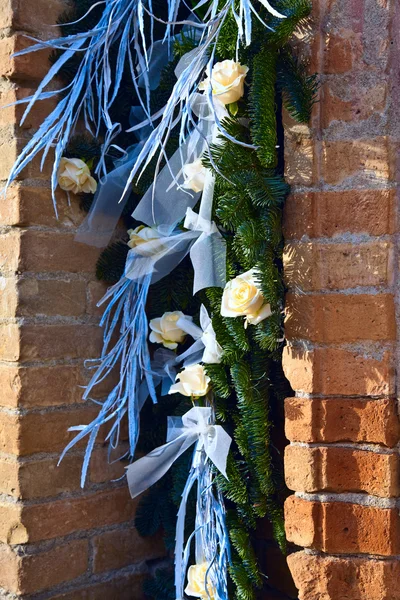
point(227, 81)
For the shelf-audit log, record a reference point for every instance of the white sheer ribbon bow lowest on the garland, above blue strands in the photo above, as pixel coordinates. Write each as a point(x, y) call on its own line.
point(195, 427)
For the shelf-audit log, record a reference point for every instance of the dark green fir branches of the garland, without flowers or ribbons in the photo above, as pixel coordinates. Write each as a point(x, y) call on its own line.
point(249, 195)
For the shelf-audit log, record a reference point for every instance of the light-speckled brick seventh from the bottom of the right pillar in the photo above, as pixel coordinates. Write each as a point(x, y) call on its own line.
point(317, 266)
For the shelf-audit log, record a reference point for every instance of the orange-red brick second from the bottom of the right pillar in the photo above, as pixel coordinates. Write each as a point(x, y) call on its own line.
point(345, 528)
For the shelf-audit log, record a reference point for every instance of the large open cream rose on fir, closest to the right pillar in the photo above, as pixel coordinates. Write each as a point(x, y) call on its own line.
point(242, 297)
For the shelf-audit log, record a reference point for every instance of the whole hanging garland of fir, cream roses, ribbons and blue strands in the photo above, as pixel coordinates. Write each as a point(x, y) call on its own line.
point(197, 297)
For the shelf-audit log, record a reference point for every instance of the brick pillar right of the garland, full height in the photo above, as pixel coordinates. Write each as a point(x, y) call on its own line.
point(342, 272)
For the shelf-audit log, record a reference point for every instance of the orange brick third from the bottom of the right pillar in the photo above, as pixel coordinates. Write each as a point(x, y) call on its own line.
point(332, 469)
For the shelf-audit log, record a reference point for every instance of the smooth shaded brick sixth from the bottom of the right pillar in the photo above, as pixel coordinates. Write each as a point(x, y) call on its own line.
point(337, 318)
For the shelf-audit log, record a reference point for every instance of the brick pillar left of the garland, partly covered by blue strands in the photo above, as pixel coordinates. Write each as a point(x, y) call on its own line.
point(56, 541)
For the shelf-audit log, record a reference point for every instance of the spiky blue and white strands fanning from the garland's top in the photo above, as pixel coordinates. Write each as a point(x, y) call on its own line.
point(94, 88)
